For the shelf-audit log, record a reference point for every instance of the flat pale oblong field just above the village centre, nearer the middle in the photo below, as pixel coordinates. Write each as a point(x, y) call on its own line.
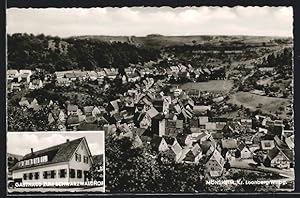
point(212, 86)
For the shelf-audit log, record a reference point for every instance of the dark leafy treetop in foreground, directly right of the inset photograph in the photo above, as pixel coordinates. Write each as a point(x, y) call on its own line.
point(129, 169)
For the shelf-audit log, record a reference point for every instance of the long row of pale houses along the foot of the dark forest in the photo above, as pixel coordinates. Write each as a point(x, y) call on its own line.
point(131, 74)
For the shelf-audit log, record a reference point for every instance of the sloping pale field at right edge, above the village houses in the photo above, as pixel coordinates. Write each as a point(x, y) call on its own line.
point(255, 102)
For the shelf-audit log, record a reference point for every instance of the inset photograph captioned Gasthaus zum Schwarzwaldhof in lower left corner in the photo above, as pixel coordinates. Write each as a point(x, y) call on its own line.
point(55, 162)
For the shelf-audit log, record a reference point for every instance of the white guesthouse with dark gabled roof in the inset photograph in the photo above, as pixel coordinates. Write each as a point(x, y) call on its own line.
point(66, 162)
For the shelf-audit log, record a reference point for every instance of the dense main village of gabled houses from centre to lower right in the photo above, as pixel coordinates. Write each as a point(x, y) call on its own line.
point(172, 124)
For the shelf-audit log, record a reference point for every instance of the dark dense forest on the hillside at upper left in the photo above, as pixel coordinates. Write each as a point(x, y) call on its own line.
point(27, 51)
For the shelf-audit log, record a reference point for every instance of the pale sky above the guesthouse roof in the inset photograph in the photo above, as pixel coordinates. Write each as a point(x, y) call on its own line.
point(20, 143)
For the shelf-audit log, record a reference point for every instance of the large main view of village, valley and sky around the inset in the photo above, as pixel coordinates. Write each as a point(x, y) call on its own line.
point(191, 99)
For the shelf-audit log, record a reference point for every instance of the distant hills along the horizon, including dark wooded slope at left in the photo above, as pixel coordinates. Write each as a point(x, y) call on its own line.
point(27, 51)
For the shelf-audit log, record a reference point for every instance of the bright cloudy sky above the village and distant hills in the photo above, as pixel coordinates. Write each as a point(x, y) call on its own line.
point(141, 21)
